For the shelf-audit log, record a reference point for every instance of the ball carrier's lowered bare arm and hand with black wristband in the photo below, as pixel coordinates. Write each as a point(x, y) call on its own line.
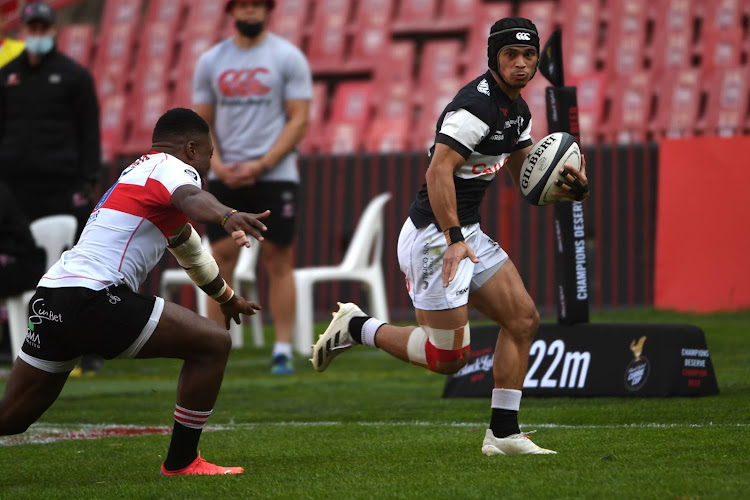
point(445, 162)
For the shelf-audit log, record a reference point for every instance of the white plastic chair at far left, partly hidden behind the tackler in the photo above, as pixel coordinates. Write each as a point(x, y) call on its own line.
point(54, 233)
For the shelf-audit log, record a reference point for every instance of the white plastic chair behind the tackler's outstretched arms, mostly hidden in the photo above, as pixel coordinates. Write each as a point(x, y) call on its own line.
point(244, 276)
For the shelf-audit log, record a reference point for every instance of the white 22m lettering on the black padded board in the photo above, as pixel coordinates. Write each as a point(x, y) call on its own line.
point(565, 370)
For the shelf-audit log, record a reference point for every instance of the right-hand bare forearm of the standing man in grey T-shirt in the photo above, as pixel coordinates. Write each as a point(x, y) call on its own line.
point(247, 173)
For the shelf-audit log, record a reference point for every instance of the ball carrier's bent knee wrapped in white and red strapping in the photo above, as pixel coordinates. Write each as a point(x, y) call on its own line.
point(440, 350)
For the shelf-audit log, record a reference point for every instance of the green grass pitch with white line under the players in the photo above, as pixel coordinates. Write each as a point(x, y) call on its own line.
point(373, 427)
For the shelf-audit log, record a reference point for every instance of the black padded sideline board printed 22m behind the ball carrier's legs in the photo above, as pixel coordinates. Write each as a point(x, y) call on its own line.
point(597, 359)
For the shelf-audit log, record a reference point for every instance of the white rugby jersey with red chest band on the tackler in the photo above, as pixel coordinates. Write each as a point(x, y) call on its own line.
point(127, 232)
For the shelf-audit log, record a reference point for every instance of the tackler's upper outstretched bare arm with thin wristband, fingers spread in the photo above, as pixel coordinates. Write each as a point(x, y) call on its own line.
point(202, 206)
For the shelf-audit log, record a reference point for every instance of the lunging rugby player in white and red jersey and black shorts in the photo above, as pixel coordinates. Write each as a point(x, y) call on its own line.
point(88, 302)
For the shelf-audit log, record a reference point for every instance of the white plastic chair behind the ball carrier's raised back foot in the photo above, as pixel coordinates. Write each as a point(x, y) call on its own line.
point(362, 262)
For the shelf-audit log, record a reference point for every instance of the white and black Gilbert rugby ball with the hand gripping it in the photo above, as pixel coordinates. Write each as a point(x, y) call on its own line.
point(554, 170)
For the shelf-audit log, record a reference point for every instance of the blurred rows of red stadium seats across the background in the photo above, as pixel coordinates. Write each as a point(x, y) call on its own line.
point(384, 69)
